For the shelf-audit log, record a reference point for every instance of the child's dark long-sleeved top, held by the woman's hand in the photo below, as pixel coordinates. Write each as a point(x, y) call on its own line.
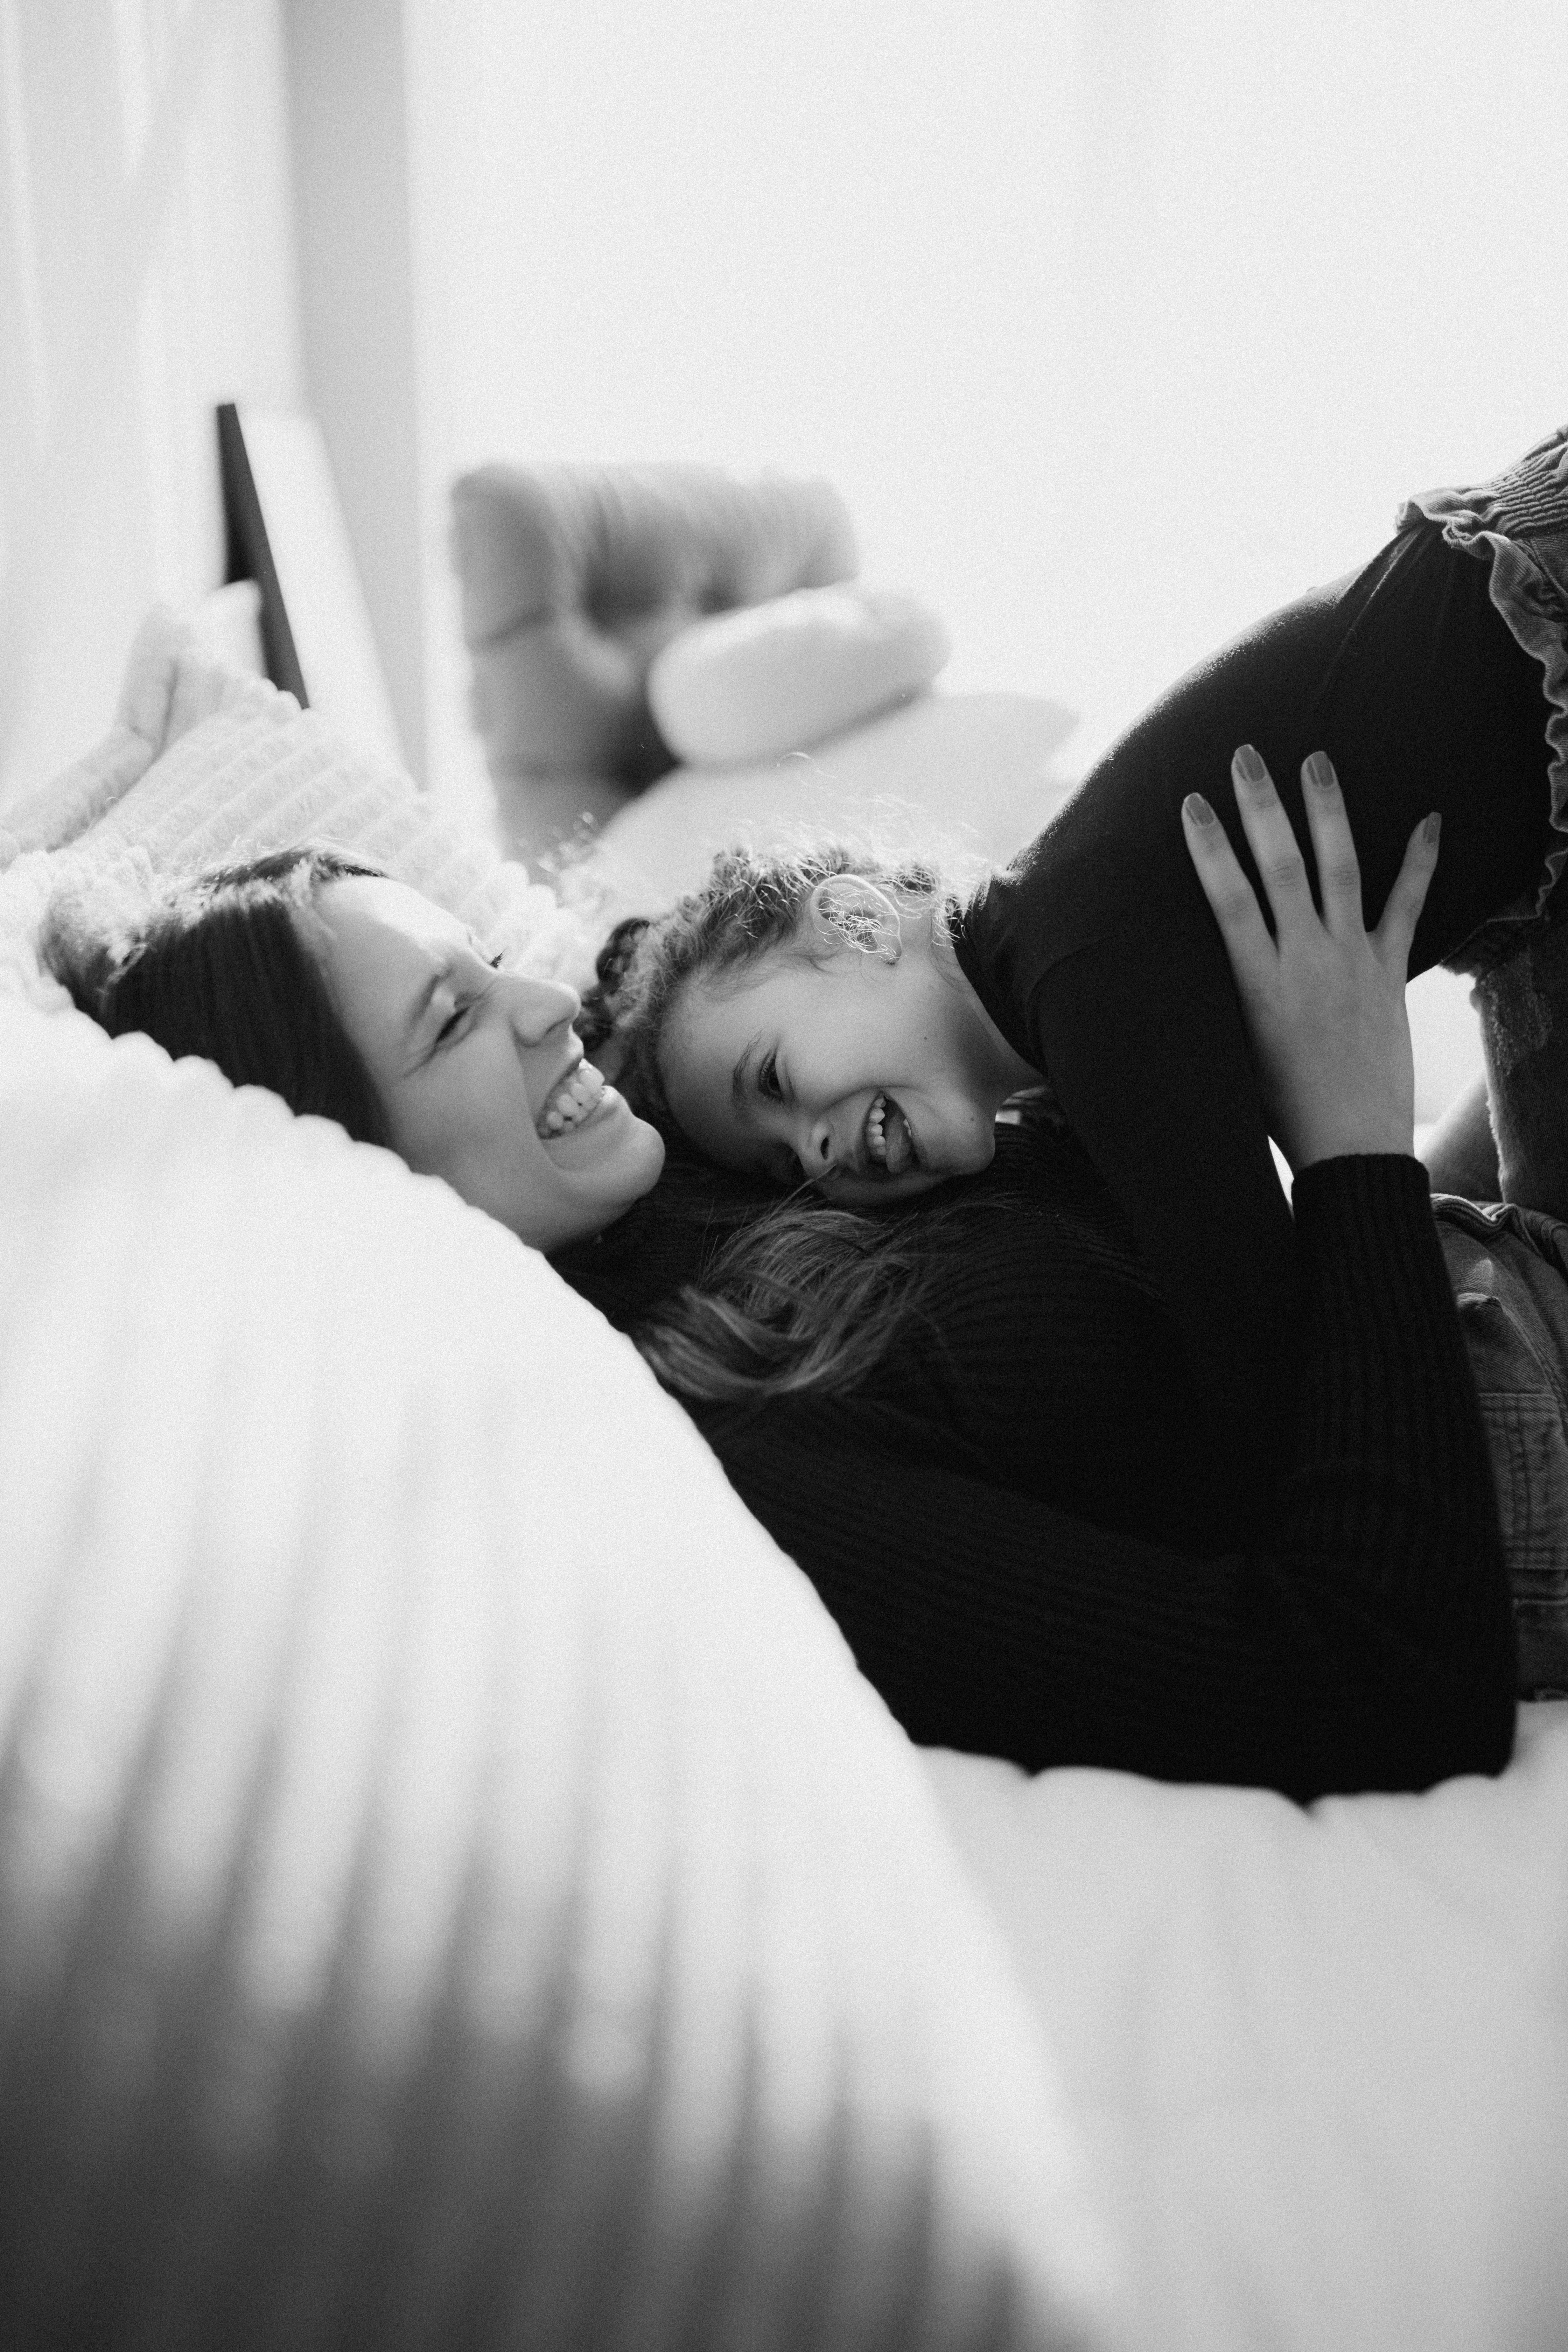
point(1101, 963)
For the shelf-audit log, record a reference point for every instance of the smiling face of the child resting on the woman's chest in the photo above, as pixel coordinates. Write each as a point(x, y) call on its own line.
point(880, 1078)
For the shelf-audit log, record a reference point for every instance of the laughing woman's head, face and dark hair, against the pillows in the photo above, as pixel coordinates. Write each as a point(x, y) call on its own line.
point(347, 994)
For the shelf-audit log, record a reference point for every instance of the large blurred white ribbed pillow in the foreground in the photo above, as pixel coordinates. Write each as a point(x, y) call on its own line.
point(455, 1885)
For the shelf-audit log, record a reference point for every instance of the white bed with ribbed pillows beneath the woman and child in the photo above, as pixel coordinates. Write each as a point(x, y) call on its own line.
point(455, 1885)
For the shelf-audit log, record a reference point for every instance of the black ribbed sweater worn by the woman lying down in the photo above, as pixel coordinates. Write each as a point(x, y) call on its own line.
point(1012, 1521)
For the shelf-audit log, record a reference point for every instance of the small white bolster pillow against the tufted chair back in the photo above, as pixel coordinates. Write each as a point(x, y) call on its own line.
point(791, 671)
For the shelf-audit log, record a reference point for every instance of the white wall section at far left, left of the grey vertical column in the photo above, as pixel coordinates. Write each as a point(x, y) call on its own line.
point(147, 272)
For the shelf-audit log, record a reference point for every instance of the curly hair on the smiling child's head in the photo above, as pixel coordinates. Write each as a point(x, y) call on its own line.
point(749, 904)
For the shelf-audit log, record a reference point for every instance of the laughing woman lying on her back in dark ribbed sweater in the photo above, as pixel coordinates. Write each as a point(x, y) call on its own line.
point(1365, 1641)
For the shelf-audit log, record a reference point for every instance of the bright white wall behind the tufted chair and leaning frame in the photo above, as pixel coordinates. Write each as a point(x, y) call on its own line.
point(1118, 321)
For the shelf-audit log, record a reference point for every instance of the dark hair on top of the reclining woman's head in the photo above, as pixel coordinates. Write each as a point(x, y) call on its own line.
point(217, 965)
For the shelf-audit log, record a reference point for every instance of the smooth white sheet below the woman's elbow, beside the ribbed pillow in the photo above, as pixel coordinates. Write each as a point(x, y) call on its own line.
point(1320, 2057)
